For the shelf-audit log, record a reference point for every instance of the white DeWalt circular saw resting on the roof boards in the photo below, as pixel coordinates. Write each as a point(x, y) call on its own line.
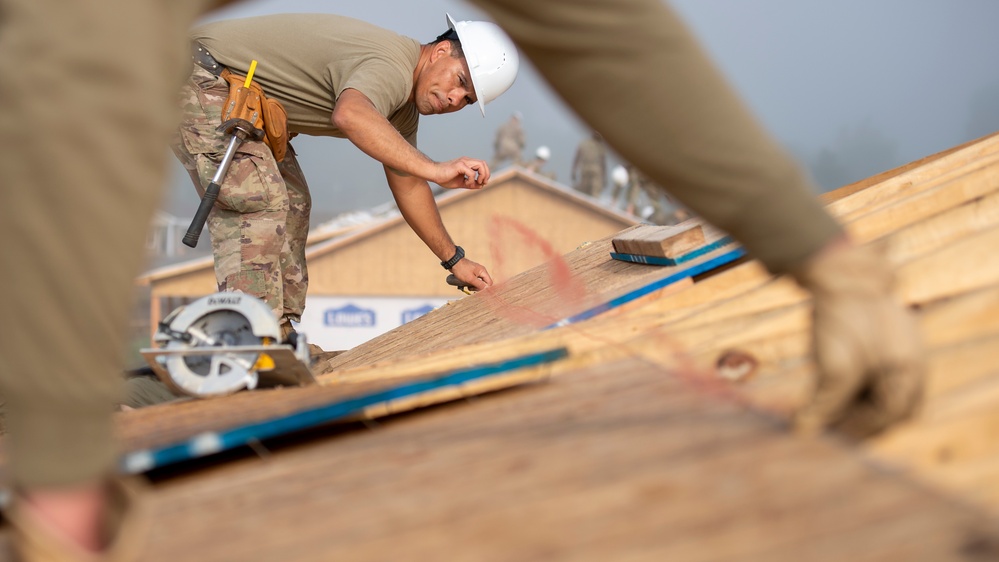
point(224, 343)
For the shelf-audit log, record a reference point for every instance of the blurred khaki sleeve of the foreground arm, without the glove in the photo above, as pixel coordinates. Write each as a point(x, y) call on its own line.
point(632, 70)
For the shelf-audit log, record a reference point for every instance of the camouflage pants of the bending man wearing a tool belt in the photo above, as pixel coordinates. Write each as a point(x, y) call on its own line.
point(261, 219)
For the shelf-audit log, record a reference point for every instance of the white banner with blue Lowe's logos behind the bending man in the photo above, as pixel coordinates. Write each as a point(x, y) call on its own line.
point(336, 323)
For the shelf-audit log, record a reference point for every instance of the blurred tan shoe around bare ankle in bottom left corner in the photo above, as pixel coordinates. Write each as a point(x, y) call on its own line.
point(127, 519)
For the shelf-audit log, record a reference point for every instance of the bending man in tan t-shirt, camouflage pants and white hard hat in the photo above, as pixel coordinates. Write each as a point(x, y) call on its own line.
point(337, 77)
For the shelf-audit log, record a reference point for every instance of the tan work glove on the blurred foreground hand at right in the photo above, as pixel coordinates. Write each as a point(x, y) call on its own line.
point(871, 366)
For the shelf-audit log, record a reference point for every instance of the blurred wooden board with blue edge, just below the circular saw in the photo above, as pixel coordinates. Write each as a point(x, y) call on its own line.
point(176, 432)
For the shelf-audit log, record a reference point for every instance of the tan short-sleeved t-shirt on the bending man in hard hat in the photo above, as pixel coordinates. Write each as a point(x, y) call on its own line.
point(307, 60)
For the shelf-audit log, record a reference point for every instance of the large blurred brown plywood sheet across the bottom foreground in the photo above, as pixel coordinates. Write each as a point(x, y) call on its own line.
point(619, 461)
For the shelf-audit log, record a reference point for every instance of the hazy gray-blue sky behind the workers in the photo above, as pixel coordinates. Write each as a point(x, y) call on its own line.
point(809, 69)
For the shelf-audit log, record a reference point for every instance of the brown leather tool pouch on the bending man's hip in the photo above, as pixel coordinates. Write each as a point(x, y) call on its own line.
point(252, 105)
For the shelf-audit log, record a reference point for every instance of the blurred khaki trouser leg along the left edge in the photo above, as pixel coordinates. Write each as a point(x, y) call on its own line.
point(82, 174)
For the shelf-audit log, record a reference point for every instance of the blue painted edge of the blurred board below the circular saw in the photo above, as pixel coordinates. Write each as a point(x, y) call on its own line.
point(216, 441)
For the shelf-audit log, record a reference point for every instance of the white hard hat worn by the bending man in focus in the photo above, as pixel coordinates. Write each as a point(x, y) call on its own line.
point(492, 58)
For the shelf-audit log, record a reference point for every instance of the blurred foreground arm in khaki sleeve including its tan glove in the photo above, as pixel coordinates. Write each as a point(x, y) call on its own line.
point(635, 74)
